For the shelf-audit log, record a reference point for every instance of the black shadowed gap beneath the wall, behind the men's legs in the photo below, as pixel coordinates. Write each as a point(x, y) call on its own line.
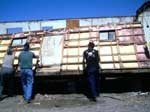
point(77, 84)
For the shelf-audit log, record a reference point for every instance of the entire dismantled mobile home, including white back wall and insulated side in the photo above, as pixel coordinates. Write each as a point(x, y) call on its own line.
point(122, 42)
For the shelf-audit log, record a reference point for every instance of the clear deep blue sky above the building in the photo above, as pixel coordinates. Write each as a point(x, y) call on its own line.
point(18, 10)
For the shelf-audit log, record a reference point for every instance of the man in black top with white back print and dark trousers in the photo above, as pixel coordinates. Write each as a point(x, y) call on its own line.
point(91, 67)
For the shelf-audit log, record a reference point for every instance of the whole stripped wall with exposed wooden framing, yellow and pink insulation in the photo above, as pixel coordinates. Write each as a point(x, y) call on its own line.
point(61, 51)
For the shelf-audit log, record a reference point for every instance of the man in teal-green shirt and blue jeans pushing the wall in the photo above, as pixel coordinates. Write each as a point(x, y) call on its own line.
point(25, 62)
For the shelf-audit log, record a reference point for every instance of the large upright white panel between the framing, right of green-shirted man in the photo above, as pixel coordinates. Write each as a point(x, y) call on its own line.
point(51, 50)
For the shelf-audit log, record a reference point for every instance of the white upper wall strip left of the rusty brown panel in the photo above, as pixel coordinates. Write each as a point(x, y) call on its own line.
point(32, 25)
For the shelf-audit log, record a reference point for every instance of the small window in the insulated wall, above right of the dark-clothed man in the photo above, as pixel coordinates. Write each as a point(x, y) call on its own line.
point(107, 35)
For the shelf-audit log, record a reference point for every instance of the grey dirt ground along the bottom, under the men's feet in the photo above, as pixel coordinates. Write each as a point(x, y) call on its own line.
point(107, 102)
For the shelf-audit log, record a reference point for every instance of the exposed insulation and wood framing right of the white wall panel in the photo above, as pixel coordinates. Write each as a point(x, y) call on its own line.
point(126, 52)
